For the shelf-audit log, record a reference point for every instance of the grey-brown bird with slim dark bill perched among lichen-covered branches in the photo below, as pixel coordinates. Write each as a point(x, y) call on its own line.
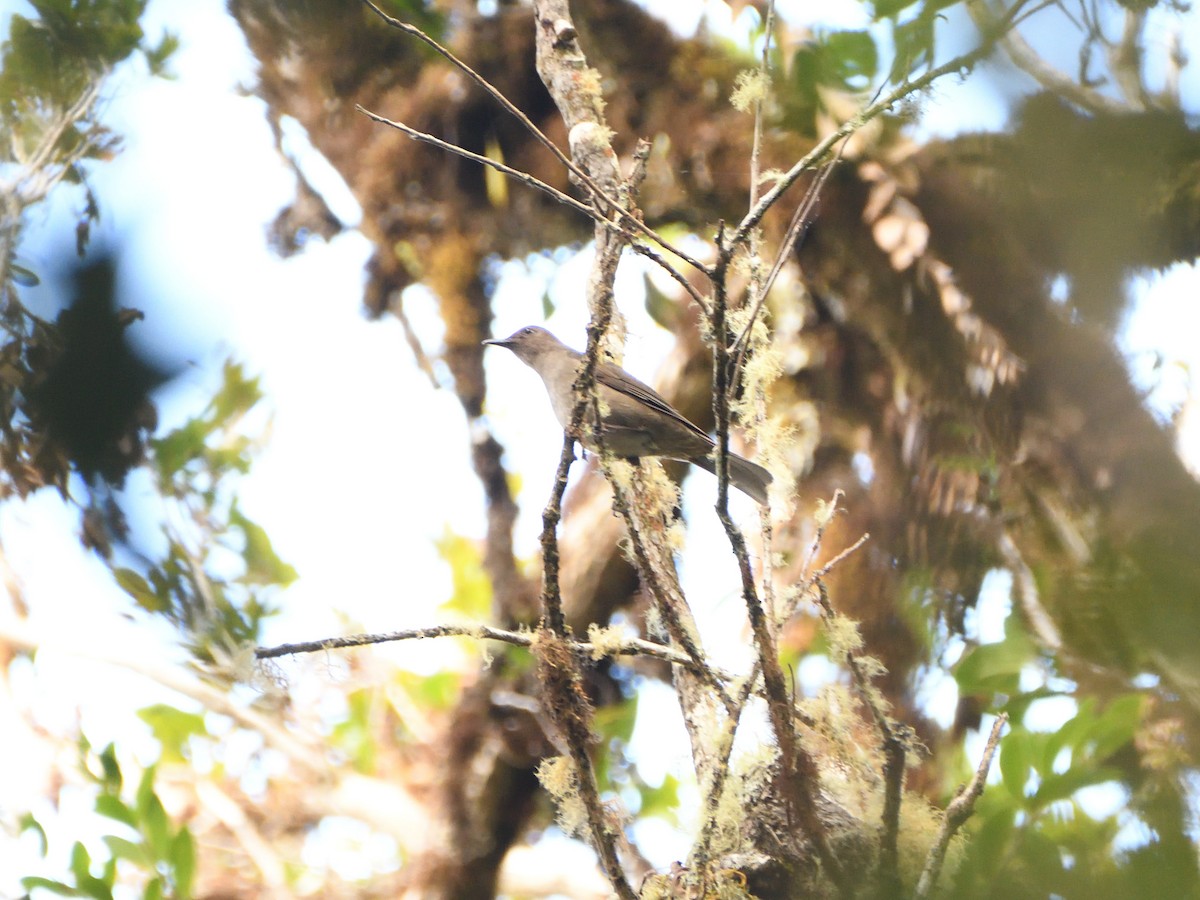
point(635, 419)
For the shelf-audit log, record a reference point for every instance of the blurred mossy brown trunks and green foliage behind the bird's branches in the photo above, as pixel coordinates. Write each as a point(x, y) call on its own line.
point(928, 341)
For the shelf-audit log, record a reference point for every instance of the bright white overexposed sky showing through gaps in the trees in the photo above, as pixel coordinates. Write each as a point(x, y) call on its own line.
point(367, 465)
